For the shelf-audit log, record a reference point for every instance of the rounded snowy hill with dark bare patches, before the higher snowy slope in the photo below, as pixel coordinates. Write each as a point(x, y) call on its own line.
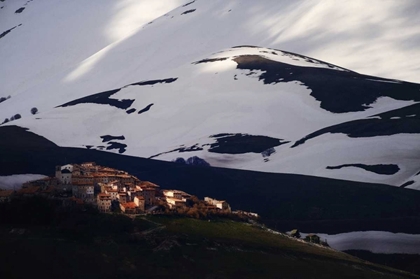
point(181, 114)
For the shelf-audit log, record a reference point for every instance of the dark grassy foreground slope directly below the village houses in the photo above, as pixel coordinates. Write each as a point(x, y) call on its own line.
point(183, 248)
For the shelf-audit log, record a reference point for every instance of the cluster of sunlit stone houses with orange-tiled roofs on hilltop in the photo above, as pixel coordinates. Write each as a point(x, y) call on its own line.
point(112, 190)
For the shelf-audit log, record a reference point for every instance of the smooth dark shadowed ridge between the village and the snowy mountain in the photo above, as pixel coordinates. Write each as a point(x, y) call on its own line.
point(284, 201)
